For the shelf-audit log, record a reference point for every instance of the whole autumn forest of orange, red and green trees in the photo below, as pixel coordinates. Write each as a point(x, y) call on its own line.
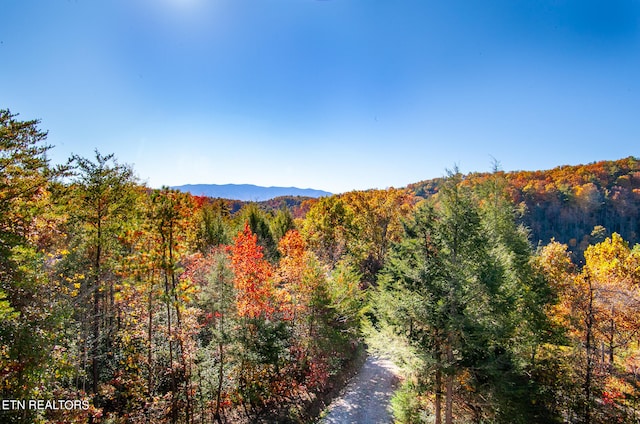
point(503, 297)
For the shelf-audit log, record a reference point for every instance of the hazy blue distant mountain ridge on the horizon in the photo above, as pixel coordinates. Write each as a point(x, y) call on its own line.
point(247, 192)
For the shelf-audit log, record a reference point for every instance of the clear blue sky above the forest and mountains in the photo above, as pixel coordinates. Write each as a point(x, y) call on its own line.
point(329, 94)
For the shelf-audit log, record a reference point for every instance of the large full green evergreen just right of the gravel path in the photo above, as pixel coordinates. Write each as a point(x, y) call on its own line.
point(461, 288)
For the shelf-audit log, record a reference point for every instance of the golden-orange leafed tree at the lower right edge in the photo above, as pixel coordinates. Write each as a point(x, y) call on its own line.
point(597, 311)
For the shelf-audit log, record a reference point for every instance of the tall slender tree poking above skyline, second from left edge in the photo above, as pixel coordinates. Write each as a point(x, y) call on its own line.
point(101, 199)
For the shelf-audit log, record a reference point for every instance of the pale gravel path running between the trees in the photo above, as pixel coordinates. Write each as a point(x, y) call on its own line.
point(366, 398)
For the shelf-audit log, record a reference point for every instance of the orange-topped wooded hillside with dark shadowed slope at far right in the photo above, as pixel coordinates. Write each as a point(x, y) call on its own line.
point(568, 202)
